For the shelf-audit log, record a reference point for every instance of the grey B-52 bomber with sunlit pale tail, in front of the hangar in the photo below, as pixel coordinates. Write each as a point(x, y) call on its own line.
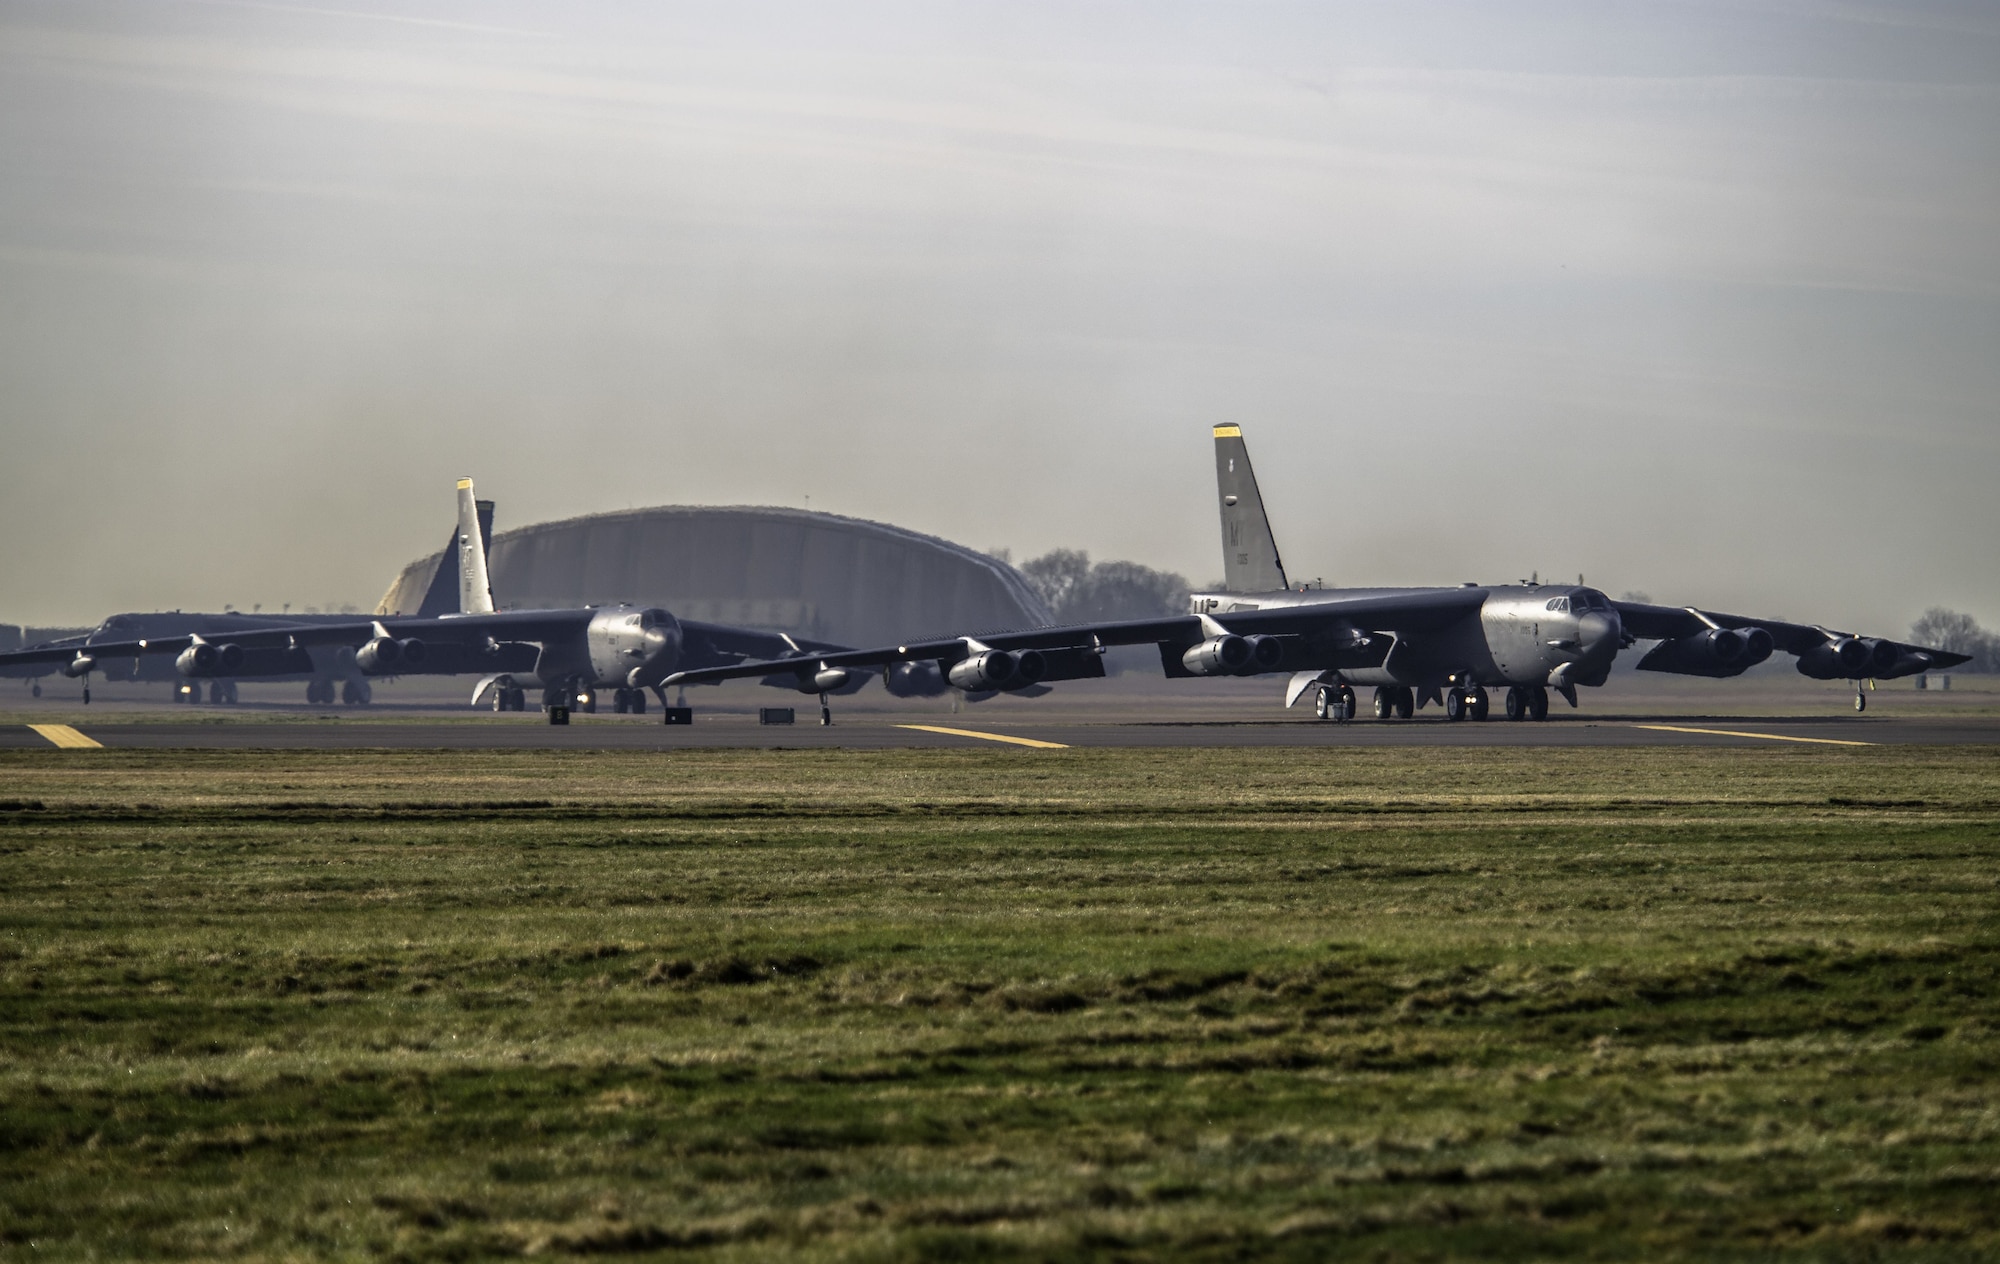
point(569, 655)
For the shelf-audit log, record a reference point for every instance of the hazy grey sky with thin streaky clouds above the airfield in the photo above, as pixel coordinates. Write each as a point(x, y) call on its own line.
point(1693, 299)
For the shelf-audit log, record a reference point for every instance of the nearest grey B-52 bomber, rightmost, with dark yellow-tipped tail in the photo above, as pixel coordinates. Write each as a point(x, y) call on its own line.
point(1411, 645)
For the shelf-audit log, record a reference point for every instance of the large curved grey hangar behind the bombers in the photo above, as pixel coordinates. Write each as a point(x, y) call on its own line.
point(817, 575)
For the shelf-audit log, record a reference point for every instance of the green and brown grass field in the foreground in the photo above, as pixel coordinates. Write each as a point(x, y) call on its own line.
point(1181, 1005)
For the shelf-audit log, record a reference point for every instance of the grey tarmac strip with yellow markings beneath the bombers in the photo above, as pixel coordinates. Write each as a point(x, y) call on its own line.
point(931, 731)
